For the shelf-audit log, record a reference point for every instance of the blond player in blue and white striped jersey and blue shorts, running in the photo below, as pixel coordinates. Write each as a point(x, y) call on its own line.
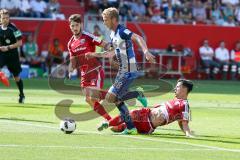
point(122, 42)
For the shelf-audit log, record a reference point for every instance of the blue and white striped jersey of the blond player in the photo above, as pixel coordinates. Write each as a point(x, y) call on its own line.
point(122, 43)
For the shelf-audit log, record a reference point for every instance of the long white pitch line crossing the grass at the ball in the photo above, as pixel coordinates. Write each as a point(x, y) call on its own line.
point(134, 137)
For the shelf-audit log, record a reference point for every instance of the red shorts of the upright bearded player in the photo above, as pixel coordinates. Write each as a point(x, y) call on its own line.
point(94, 78)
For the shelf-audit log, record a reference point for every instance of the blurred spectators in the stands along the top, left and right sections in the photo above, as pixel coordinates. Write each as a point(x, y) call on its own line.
point(212, 12)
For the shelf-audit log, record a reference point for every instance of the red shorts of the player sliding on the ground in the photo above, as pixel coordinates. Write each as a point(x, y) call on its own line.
point(141, 120)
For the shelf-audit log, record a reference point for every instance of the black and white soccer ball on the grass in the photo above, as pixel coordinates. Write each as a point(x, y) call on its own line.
point(68, 126)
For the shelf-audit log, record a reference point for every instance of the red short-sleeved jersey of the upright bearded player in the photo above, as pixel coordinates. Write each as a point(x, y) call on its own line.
point(87, 42)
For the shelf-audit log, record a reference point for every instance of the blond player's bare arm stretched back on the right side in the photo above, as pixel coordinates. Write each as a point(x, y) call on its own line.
point(142, 44)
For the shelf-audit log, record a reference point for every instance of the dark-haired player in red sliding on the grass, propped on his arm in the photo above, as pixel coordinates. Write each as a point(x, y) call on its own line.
point(147, 119)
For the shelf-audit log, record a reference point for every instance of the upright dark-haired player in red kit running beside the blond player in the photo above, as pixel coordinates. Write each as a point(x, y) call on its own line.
point(92, 73)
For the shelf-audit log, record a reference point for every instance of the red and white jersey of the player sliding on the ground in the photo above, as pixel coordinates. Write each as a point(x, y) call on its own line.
point(176, 109)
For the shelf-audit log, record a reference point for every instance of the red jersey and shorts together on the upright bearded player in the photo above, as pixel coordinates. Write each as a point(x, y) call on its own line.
point(91, 69)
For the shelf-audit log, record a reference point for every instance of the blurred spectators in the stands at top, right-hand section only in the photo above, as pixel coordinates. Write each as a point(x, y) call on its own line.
point(214, 12)
